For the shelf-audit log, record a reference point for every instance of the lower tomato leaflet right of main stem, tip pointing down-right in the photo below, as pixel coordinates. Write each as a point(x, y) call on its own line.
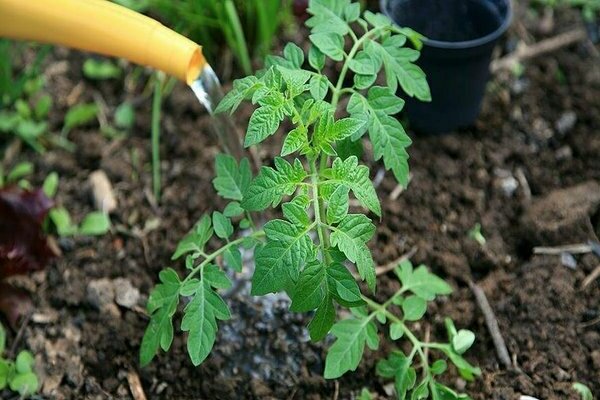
point(351, 236)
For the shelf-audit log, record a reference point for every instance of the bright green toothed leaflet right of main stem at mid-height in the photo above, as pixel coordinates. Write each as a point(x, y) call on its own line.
point(356, 177)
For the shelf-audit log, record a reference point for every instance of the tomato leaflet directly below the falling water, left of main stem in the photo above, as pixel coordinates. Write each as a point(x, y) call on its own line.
point(232, 180)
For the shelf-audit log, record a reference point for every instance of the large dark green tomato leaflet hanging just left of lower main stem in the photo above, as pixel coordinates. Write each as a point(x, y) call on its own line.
point(279, 262)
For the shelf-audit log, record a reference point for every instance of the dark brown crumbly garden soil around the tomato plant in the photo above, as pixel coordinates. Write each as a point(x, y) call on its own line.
point(521, 146)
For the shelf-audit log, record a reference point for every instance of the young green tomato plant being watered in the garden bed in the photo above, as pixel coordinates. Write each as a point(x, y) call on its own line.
point(308, 251)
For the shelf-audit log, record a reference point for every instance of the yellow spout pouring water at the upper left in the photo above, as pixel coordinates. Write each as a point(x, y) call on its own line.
point(102, 27)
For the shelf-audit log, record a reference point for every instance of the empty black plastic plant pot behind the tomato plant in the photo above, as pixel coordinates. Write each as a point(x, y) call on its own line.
point(461, 35)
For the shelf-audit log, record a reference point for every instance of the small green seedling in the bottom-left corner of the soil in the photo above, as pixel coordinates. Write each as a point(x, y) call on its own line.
point(17, 375)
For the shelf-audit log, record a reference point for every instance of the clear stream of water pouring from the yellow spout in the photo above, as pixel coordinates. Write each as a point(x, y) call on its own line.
point(209, 92)
